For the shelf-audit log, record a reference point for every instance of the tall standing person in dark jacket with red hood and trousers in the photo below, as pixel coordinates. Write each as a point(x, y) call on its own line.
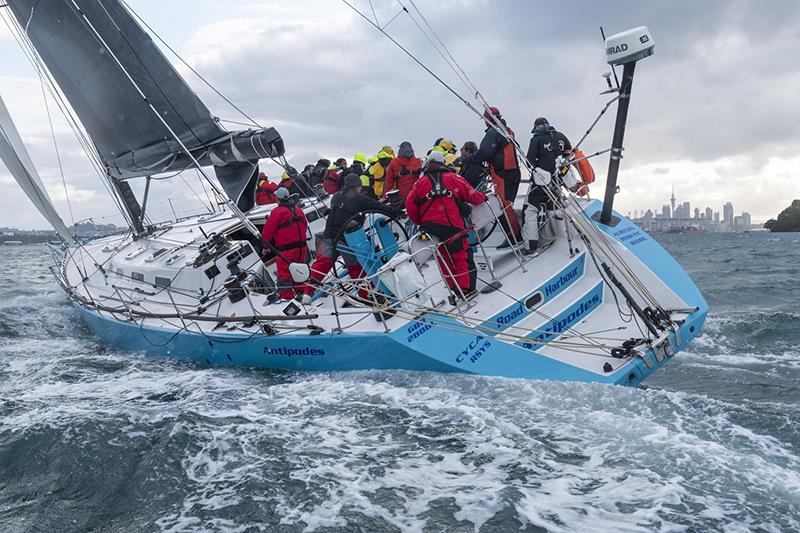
point(499, 152)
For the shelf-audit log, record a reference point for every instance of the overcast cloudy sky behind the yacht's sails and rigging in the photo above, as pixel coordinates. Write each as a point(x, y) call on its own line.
point(714, 112)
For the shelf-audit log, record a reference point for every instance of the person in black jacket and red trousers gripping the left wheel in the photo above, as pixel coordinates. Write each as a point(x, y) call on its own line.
point(345, 204)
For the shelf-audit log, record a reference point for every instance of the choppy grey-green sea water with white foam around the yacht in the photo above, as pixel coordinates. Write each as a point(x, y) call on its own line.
point(94, 439)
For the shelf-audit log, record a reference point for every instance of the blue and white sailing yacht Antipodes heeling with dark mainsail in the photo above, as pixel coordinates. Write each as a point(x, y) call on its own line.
point(603, 303)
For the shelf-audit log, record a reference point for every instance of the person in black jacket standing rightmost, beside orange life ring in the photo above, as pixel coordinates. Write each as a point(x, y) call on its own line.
point(546, 145)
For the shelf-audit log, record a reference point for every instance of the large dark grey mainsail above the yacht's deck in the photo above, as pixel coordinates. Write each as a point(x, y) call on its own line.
point(135, 106)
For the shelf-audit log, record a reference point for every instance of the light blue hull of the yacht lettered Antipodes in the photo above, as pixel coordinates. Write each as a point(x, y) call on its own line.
point(417, 346)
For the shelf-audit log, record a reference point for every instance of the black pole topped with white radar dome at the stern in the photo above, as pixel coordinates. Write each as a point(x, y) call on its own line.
point(626, 49)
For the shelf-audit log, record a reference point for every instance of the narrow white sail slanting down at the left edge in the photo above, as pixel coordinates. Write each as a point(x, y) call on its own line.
point(19, 163)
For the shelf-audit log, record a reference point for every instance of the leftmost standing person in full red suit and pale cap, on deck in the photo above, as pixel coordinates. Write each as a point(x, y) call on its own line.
point(286, 231)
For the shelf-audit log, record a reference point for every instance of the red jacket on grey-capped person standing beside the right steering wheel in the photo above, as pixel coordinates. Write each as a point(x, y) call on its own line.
point(441, 210)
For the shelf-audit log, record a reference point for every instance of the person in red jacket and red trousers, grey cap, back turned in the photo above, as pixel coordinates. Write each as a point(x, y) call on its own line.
point(437, 203)
